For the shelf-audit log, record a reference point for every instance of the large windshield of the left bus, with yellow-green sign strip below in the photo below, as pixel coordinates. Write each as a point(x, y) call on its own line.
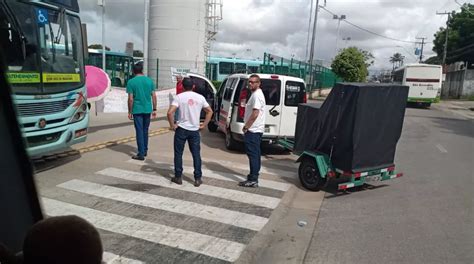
point(44, 48)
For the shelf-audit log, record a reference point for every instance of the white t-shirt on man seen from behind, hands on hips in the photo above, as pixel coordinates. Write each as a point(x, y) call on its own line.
point(190, 105)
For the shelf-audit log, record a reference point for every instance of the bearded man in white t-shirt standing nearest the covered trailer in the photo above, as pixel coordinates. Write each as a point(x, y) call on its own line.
point(254, 126)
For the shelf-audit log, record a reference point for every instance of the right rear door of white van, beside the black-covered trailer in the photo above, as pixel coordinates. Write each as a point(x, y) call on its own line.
point(295, 94)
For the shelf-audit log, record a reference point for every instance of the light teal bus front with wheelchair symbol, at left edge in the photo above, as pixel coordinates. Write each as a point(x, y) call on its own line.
point(48, 83)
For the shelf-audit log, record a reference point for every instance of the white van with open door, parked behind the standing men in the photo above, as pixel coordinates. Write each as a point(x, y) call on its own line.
point(282, 95)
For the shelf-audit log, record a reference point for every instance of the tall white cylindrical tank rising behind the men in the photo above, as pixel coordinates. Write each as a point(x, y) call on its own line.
point(176, 38)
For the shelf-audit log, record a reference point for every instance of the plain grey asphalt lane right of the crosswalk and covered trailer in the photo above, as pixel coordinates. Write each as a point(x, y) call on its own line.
point(423, 217)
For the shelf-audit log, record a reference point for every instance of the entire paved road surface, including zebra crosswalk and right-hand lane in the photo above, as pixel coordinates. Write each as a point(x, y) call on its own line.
point(424, 217)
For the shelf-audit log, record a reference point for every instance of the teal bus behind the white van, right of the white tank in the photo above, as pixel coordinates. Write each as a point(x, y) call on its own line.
point(217, 69)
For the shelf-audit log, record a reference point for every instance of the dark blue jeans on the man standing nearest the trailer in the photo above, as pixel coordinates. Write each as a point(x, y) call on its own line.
point(252, 147)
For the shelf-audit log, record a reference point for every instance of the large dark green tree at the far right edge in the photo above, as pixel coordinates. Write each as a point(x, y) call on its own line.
point(460, 36)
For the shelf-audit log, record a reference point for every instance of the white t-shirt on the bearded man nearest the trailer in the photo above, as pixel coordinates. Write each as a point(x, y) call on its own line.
point(256, 101)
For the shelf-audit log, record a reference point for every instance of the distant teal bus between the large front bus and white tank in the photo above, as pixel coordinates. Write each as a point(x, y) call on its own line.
point(118, 65)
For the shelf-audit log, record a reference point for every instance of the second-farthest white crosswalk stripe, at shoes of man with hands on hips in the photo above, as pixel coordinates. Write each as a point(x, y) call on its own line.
point(238, 196)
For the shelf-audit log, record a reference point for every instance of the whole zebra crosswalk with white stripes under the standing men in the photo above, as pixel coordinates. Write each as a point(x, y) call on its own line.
point(144, 218)
